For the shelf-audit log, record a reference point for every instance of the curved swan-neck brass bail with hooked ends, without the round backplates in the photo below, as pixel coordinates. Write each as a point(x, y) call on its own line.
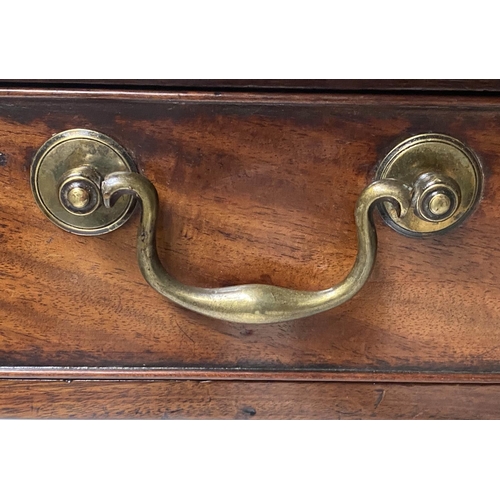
point(254, 303)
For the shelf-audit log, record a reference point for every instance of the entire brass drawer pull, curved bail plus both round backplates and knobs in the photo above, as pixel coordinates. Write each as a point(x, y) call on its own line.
point(415, 200)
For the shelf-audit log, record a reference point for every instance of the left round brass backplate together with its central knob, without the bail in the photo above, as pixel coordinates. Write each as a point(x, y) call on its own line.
point(79, 159)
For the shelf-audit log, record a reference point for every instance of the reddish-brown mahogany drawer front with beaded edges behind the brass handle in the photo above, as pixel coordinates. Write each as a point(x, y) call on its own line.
point(253, 188)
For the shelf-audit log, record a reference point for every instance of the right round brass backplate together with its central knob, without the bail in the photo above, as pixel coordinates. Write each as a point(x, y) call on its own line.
point(447, 180)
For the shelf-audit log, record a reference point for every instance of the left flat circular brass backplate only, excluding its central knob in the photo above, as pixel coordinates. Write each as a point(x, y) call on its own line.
point(73, 149)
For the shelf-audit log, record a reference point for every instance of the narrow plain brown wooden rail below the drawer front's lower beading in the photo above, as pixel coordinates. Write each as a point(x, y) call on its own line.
point(246, 400)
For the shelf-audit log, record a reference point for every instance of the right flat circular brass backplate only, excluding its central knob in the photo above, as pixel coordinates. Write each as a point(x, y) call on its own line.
point(444, 156)
